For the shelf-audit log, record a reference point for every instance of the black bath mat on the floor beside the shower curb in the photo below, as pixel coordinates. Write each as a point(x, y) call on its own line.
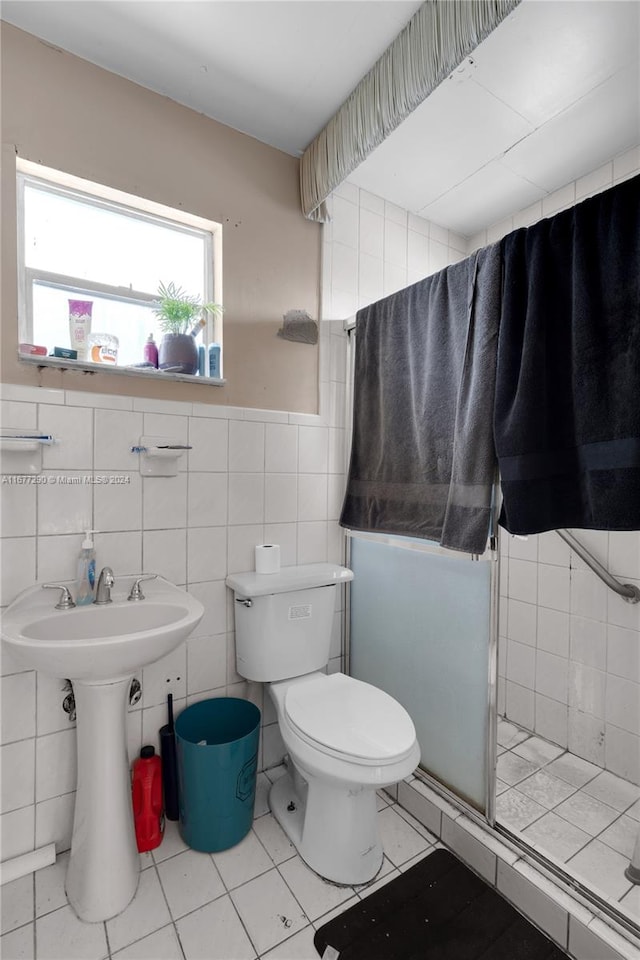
point(437, 910)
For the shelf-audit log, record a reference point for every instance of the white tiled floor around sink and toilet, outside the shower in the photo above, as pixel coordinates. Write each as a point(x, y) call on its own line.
point(257, 900)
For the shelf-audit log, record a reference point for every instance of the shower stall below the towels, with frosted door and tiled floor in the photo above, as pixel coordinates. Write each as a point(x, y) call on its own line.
point(491, 657)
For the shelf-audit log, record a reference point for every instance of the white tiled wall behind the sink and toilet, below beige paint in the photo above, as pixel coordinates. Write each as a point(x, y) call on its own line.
point(244, 469)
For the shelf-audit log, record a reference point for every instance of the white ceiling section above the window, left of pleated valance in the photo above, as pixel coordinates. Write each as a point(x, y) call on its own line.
point(275, 69)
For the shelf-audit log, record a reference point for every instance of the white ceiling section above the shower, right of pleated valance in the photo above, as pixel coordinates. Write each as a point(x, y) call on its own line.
point(549, 96)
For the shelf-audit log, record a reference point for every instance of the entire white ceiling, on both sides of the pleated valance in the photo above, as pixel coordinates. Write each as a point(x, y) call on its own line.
point(549, 96)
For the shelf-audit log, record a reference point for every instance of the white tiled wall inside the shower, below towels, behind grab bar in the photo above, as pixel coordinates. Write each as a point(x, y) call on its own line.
point(581, 684)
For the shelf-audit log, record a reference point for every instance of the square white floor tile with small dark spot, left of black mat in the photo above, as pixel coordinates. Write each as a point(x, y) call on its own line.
point(268, 911)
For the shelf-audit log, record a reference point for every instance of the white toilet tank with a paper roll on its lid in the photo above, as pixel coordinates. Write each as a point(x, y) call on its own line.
point(284, 620)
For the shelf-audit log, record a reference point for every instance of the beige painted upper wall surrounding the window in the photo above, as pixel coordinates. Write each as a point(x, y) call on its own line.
point(65, 113)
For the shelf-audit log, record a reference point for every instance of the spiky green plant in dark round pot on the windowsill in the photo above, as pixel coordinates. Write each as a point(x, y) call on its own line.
point(181, 316)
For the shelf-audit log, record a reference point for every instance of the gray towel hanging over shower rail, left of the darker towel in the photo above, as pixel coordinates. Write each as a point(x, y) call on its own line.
point(422, 458)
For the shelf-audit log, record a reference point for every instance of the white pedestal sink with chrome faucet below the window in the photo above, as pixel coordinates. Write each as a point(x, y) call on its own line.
point(99, 648)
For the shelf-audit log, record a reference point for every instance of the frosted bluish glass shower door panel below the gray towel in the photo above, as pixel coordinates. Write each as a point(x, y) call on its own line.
point(422, 629)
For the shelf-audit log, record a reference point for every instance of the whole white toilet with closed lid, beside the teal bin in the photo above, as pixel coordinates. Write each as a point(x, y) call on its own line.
point(345, 738)
